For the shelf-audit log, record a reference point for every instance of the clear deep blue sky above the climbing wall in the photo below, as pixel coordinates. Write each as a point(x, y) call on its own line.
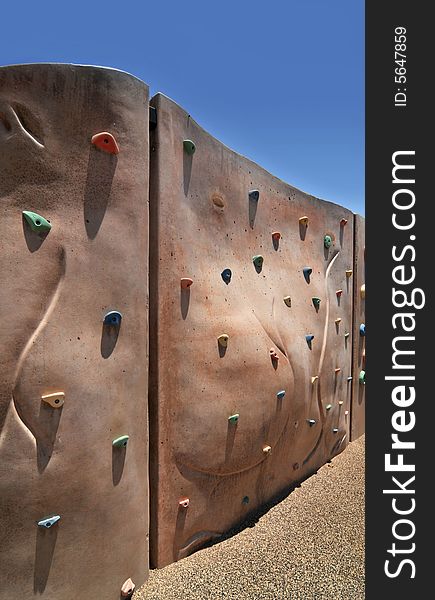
point(281, 82)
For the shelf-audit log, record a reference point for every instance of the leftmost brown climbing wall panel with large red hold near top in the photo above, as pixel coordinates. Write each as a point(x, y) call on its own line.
point(73, 404)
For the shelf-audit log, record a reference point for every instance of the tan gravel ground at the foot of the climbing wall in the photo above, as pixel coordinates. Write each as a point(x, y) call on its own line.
point(310, 546)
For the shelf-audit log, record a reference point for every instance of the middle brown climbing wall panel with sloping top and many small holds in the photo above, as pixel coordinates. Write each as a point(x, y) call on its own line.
point(251, 291)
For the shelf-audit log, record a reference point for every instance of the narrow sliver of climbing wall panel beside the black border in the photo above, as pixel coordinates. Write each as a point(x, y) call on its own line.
point(359, 348)
